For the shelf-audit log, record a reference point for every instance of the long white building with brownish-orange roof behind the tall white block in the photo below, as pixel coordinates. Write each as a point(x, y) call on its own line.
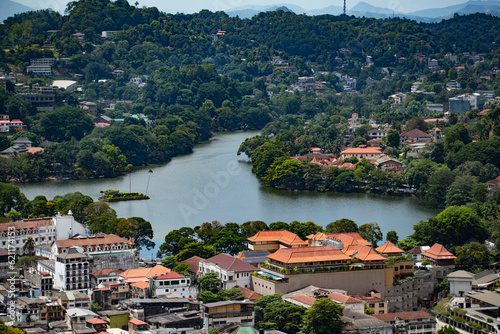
point(106, 250)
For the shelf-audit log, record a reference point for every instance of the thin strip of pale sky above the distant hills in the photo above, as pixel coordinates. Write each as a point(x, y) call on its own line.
point(191, 6)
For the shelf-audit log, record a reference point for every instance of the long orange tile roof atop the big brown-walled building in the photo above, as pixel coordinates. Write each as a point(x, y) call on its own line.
point(308, 254)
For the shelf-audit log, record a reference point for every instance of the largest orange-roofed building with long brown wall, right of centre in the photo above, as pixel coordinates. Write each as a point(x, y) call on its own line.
point(357, 269)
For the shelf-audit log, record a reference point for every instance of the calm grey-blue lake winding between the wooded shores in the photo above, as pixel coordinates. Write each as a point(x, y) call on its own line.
point(213, 183)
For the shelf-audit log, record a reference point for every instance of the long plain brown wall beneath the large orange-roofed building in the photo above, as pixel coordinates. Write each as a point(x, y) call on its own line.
point(357, 281)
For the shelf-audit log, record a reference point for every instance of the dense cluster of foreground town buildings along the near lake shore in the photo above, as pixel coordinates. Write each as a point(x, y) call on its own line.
point(84, 283)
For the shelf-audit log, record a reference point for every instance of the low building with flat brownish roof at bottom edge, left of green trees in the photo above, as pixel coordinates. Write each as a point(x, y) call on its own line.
point(232, 311)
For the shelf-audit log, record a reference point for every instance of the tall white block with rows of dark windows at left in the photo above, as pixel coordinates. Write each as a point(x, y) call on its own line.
point(72, 269)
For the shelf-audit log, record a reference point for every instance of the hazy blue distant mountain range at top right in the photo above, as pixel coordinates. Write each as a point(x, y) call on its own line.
point(365, 9)
